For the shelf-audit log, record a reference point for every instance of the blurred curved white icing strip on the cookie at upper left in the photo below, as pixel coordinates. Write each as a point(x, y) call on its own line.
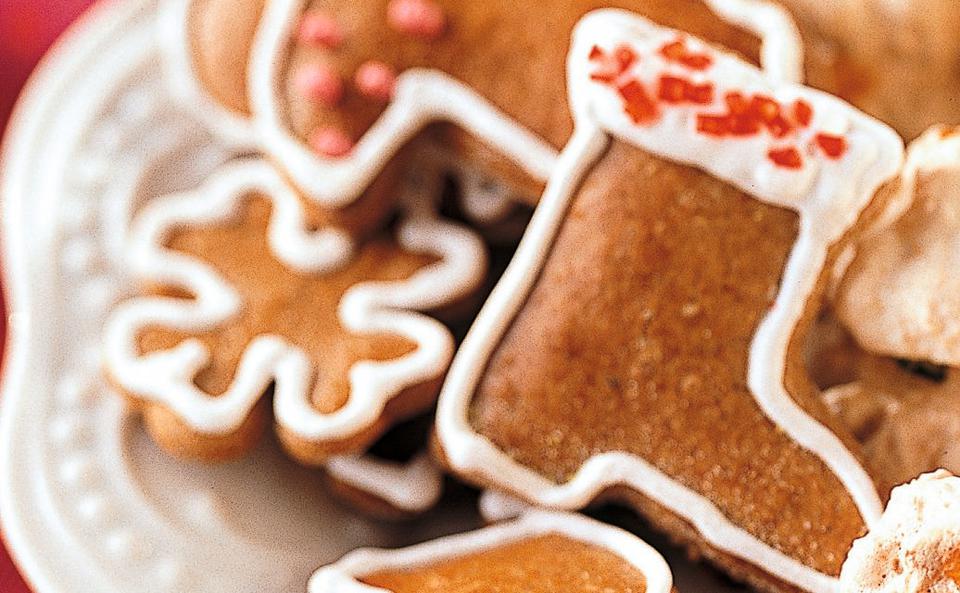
point(180, 76)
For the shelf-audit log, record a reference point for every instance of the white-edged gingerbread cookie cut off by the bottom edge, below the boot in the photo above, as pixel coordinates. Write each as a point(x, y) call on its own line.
point(539, 553)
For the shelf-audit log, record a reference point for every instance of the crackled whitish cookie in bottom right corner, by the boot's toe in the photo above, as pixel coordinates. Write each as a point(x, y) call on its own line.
point(915, 547)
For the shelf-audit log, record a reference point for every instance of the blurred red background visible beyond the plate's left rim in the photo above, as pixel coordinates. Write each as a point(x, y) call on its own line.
point(27, 28)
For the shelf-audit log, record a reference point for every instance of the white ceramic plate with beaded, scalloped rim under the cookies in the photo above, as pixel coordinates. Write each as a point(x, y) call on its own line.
point(87, 503)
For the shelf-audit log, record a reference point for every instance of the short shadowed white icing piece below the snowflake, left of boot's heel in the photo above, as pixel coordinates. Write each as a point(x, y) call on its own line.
point(413, 487)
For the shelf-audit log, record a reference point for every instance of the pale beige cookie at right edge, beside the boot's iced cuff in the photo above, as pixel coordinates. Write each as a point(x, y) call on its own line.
point(899, 296)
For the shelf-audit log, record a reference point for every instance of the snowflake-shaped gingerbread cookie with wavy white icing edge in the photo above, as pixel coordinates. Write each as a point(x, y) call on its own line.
point(248, 300)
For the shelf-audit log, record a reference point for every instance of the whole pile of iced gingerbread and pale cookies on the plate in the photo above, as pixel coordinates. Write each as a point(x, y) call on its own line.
point(572, 253)
